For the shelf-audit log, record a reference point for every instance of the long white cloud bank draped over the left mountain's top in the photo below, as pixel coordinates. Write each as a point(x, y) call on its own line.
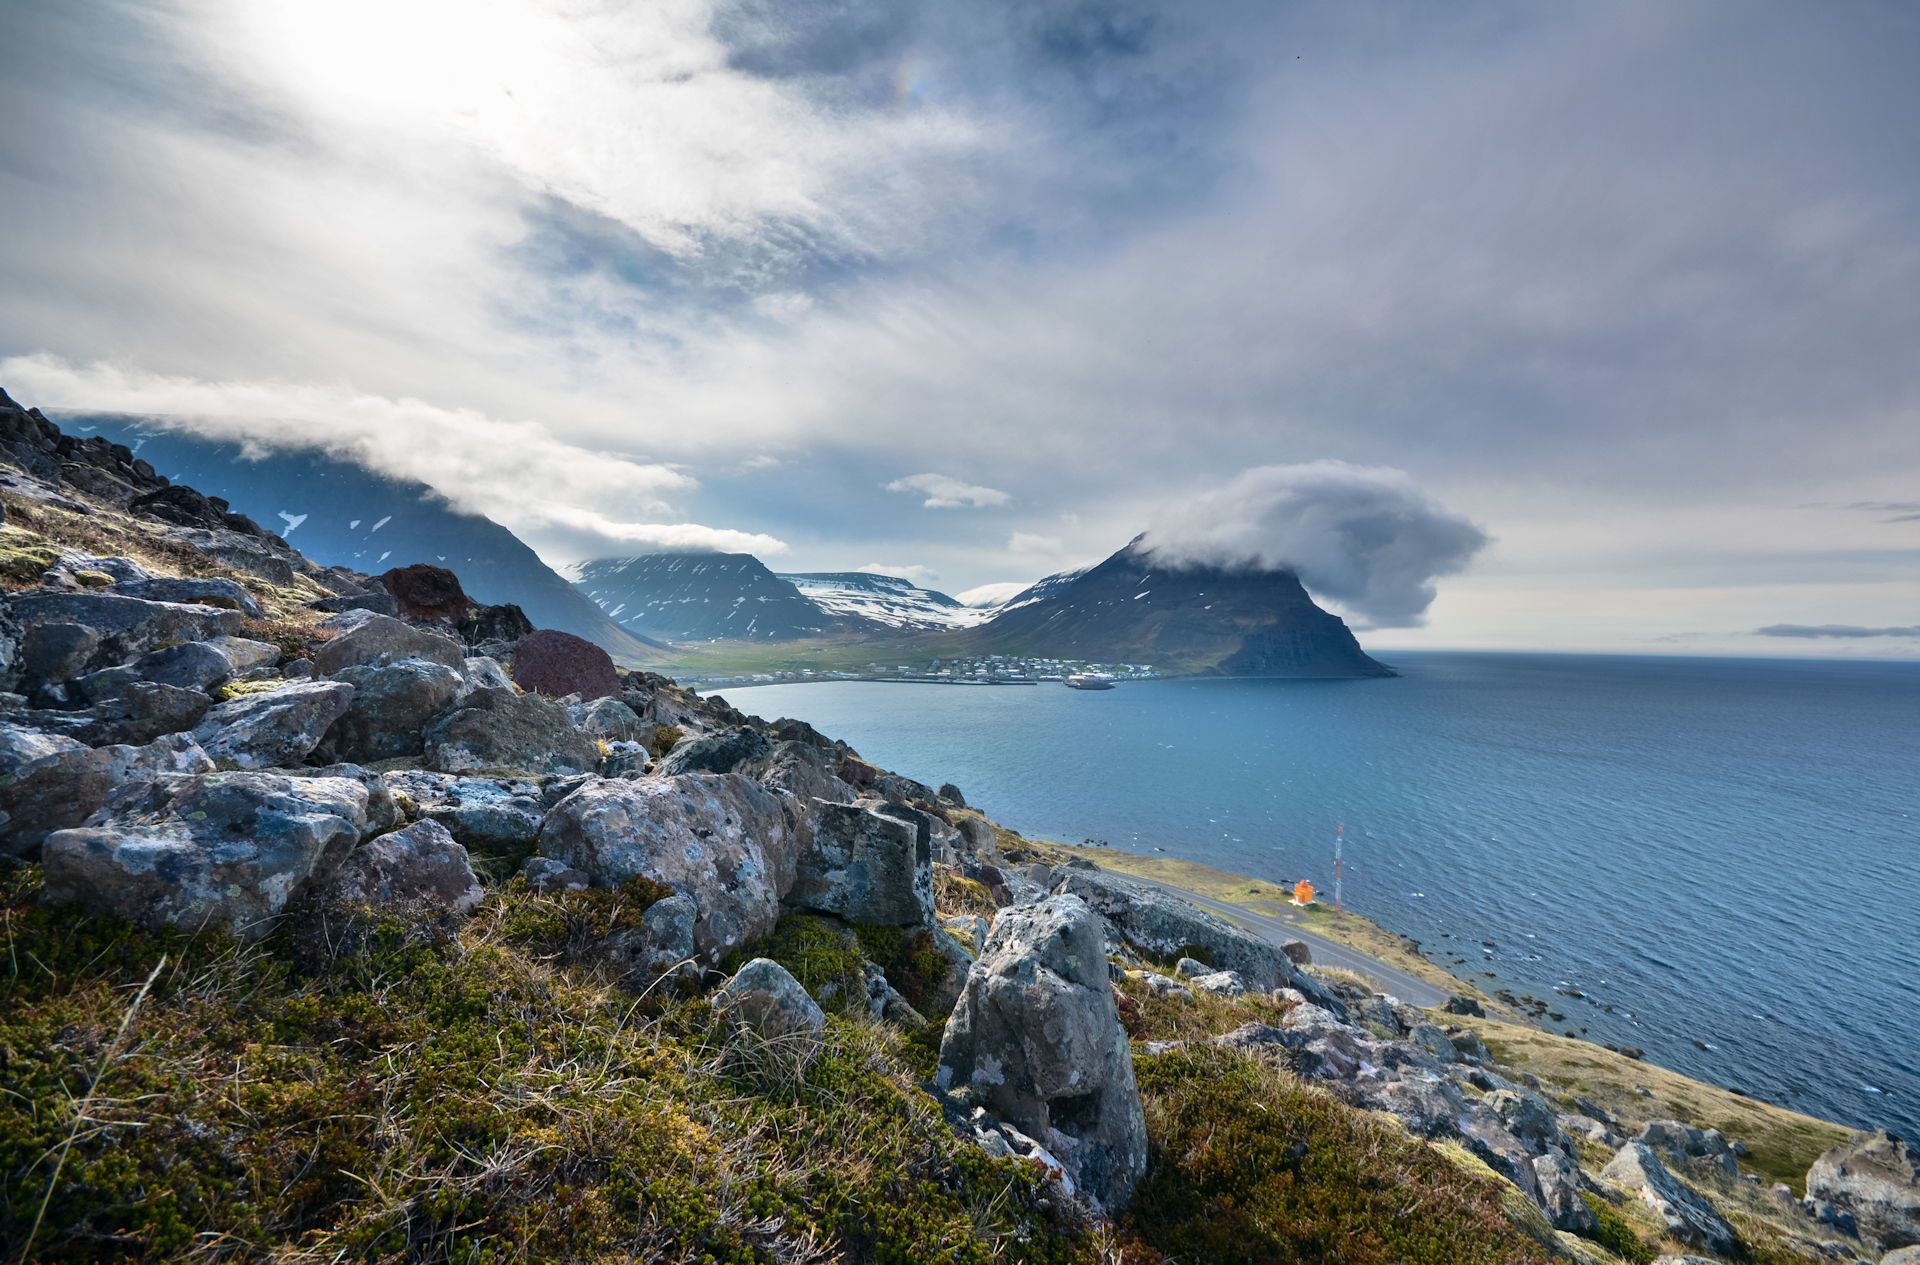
point(517, 473)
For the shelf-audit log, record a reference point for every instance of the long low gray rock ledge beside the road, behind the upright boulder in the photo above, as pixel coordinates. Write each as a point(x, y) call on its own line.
point(1161, 926)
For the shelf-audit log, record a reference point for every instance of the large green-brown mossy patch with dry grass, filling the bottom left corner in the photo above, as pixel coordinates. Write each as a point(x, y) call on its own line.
point(414, 1087)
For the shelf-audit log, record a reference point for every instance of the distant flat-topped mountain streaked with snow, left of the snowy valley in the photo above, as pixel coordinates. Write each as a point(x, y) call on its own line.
point(702, 598)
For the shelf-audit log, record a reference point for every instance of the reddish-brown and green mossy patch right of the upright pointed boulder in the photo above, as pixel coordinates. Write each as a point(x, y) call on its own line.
point(1251, 1166)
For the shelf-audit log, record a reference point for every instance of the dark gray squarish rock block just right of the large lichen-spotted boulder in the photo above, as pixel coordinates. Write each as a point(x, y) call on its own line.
point(867, 869)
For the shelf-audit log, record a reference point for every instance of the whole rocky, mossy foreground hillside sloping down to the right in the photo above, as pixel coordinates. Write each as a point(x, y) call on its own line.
point(358, 920)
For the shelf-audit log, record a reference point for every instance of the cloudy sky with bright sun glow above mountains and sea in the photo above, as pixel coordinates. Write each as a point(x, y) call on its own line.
point(1508, 325)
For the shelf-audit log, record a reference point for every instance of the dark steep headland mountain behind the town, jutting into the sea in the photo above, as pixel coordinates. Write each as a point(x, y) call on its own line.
point(1199, 619)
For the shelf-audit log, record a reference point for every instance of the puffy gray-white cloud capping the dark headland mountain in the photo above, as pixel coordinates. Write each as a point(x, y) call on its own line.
point(1362, 537)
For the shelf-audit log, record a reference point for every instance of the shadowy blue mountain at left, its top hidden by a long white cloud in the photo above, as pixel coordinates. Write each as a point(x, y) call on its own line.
point(341, 513)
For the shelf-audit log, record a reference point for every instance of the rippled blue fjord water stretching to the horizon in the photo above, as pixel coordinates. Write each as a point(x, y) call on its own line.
point(1723, 851)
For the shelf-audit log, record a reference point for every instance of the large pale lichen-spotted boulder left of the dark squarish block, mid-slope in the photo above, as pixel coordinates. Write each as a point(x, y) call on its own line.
point(711, 838)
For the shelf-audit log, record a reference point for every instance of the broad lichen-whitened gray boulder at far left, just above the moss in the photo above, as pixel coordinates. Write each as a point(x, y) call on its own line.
point(214, 849)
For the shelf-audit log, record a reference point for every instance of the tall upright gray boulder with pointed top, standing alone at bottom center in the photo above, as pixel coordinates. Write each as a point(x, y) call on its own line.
point(1038, 1043)
